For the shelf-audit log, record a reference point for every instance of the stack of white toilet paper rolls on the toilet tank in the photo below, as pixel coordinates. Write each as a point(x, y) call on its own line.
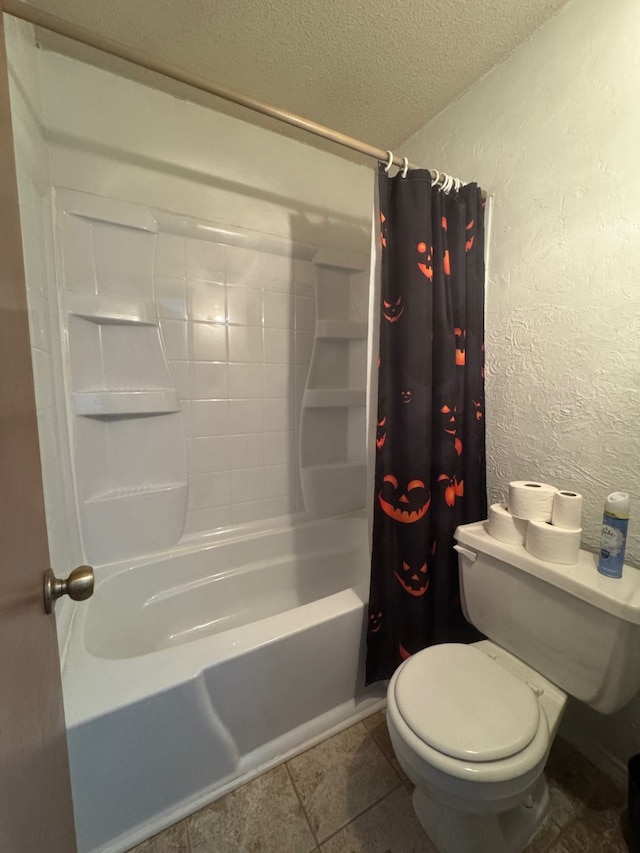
point(542, 518)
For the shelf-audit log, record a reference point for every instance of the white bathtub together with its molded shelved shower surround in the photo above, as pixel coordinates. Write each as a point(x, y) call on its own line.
point(209, 652)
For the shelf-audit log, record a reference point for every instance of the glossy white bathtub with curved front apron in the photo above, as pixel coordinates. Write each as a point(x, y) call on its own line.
point(188, 674)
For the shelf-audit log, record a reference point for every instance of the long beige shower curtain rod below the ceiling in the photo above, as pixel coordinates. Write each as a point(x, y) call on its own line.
point(44, 20)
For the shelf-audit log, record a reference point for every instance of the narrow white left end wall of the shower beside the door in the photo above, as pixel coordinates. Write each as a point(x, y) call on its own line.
point(36, 215)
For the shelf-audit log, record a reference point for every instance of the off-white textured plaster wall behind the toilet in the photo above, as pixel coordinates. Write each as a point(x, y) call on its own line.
point(554, 134)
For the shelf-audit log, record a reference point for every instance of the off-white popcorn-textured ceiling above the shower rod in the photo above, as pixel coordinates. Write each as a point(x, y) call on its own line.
point(375, 70)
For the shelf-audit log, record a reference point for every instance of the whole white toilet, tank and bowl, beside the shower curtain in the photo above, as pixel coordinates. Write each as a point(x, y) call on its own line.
point(472, 725)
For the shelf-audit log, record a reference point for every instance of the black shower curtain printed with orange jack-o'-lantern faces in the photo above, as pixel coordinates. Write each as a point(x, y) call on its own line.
point(430, 444)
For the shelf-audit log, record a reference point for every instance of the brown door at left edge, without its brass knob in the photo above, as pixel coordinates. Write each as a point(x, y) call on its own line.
point(36, 814)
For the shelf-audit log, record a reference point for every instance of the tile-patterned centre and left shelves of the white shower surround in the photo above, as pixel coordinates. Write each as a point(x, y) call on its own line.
point(179, 327)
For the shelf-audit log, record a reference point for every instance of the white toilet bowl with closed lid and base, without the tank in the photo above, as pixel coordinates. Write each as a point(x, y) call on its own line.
point(472, 727)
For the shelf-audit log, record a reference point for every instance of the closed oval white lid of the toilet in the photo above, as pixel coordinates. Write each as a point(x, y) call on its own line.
point(461, 702)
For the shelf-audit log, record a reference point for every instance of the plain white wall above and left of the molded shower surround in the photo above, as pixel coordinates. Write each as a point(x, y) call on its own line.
point(87, 130)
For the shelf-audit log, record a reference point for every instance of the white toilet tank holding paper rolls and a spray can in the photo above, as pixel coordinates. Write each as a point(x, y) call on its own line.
point(573, 625)
